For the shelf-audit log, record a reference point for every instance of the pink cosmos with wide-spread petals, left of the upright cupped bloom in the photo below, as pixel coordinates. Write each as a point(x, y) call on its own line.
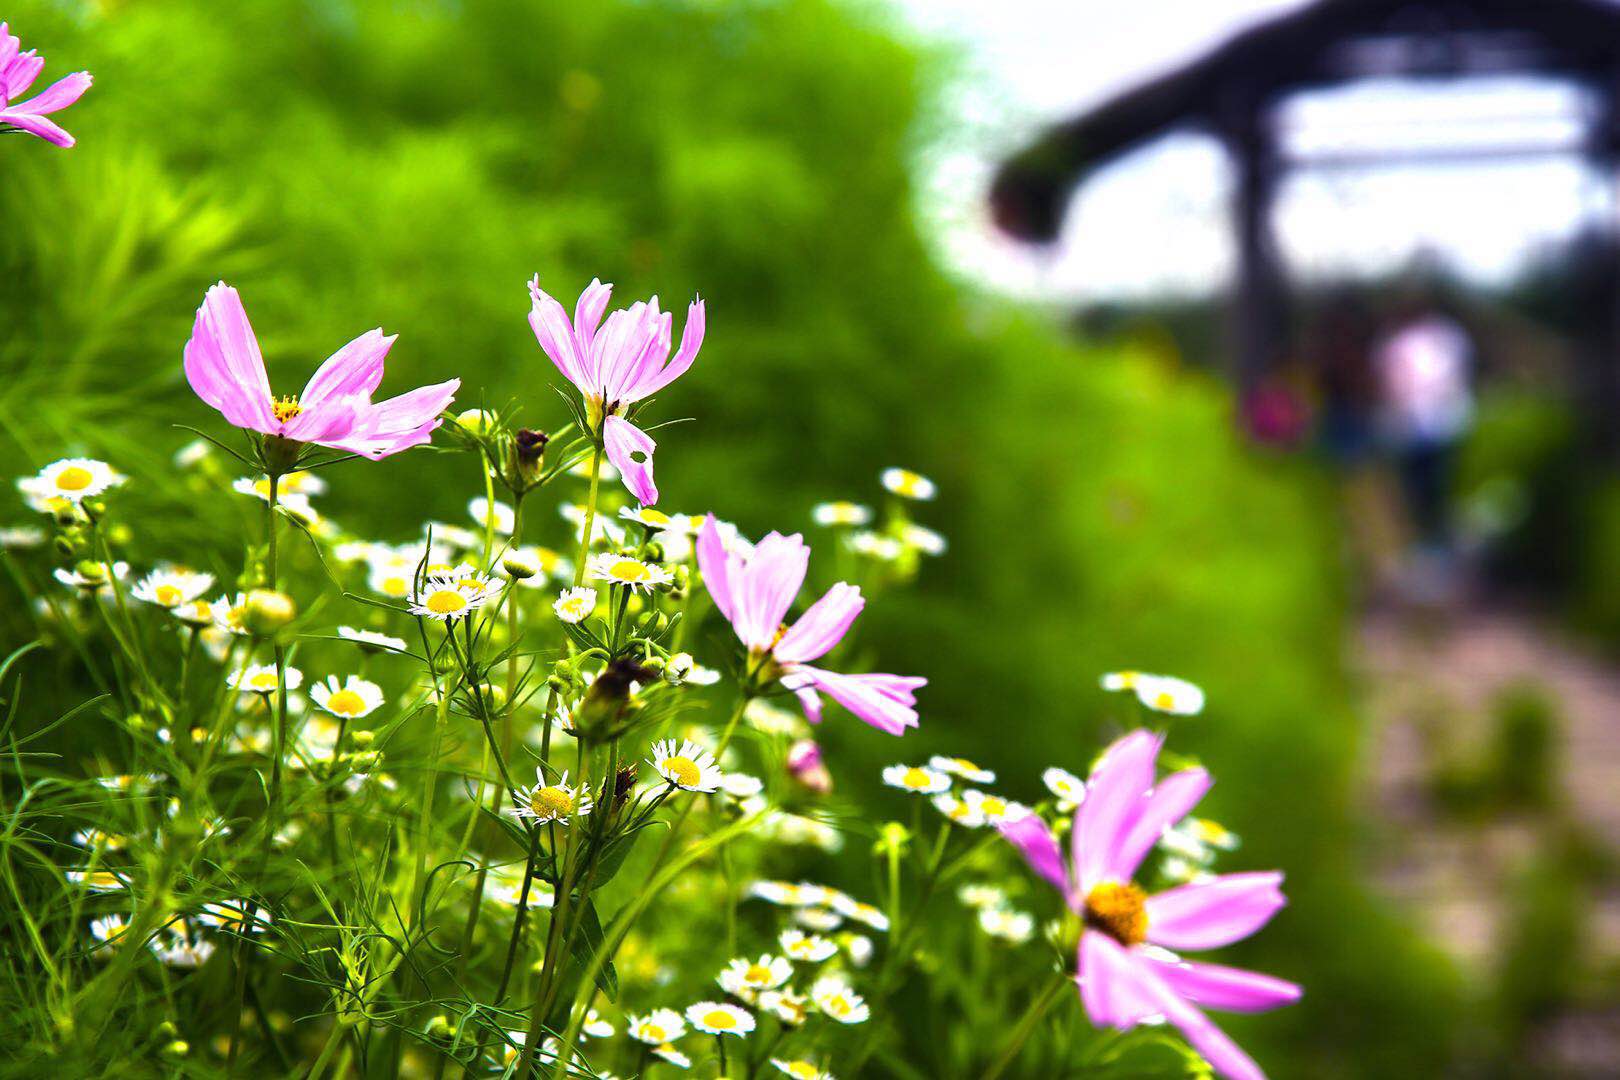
point(335, 410)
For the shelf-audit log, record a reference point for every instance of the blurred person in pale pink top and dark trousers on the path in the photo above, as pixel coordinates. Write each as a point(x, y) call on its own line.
point(1425, 370)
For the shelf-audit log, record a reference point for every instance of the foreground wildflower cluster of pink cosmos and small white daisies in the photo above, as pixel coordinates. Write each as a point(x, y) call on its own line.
point(535, 793)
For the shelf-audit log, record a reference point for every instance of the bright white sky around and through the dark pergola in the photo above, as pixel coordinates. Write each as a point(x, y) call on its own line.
point(1156, 223)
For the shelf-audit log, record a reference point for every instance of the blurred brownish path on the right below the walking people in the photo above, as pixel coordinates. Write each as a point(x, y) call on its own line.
point(1431, 687)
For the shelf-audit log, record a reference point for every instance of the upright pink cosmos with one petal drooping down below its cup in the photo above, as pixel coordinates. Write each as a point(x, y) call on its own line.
point(616, 365)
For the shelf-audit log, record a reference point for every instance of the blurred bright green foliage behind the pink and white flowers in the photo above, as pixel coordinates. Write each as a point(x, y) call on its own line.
point(412, 164)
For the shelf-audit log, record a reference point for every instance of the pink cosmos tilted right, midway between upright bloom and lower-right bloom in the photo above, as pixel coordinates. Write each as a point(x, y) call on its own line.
point(754, 593)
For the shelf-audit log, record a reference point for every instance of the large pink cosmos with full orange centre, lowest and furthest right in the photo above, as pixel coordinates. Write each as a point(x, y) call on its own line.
point(1127, 969)
